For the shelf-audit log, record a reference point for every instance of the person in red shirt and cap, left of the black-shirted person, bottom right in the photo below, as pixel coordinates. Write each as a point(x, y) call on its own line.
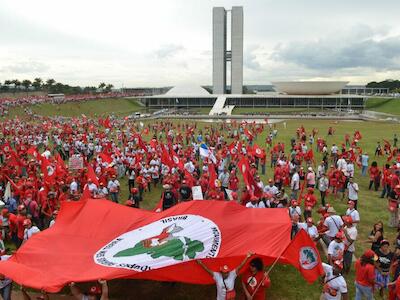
point(365, 275)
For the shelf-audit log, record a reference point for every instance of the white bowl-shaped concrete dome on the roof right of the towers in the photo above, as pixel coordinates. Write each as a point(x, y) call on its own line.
point(309, 87)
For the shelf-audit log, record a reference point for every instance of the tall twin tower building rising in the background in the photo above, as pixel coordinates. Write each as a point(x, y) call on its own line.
point(222, 53)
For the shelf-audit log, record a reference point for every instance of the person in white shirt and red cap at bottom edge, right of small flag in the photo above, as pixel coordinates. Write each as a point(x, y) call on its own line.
point(335, 286)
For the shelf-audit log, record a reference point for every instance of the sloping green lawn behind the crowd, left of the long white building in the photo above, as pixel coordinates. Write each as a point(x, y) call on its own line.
point(117, 106)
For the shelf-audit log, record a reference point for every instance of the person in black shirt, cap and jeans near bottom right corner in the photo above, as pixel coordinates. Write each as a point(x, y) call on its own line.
point(382, 274)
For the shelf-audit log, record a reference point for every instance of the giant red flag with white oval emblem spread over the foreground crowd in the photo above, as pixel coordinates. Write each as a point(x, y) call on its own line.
point(146, 245)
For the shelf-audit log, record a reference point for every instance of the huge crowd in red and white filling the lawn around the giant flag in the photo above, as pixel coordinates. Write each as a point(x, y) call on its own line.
point(47, 161)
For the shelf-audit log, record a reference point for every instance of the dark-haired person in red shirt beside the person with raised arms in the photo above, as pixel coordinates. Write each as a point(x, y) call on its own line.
point(255, 280)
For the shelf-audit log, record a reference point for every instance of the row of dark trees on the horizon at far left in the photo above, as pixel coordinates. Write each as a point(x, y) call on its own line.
point(50, 86)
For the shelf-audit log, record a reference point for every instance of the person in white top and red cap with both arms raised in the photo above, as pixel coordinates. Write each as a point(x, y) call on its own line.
point(225, 278)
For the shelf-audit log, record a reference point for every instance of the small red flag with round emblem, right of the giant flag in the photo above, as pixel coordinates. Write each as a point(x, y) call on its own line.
point(304, 256)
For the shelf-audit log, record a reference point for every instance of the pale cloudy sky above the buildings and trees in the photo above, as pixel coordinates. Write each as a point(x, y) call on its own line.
point(168, 42)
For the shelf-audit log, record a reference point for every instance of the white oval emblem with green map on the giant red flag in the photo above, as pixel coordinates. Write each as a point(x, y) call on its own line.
point(162, 243)
